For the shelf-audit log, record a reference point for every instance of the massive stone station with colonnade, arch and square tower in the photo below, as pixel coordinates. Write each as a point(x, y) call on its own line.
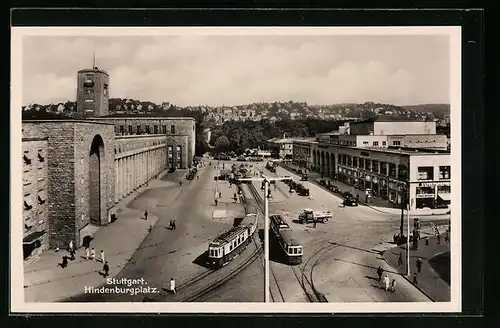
point(76, 170)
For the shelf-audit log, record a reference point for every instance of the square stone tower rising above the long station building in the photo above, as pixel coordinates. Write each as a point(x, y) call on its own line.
point(92, 99)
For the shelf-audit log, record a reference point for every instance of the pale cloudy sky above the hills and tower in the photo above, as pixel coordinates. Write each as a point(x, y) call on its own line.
point(236, 69)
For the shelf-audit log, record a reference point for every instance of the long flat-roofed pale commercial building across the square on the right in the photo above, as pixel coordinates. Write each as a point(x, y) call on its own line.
point(416, 166)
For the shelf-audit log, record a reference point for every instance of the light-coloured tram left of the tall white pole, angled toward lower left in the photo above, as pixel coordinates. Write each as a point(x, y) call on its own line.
point(231, 243)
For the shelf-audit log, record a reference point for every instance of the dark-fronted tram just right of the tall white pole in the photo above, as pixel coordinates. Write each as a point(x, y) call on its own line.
point(292, 250)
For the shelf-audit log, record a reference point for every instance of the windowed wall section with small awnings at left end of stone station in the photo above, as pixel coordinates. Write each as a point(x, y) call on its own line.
point(35, 209)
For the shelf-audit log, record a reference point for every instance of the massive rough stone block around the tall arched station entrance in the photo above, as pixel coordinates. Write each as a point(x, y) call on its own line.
point(68, 155)
